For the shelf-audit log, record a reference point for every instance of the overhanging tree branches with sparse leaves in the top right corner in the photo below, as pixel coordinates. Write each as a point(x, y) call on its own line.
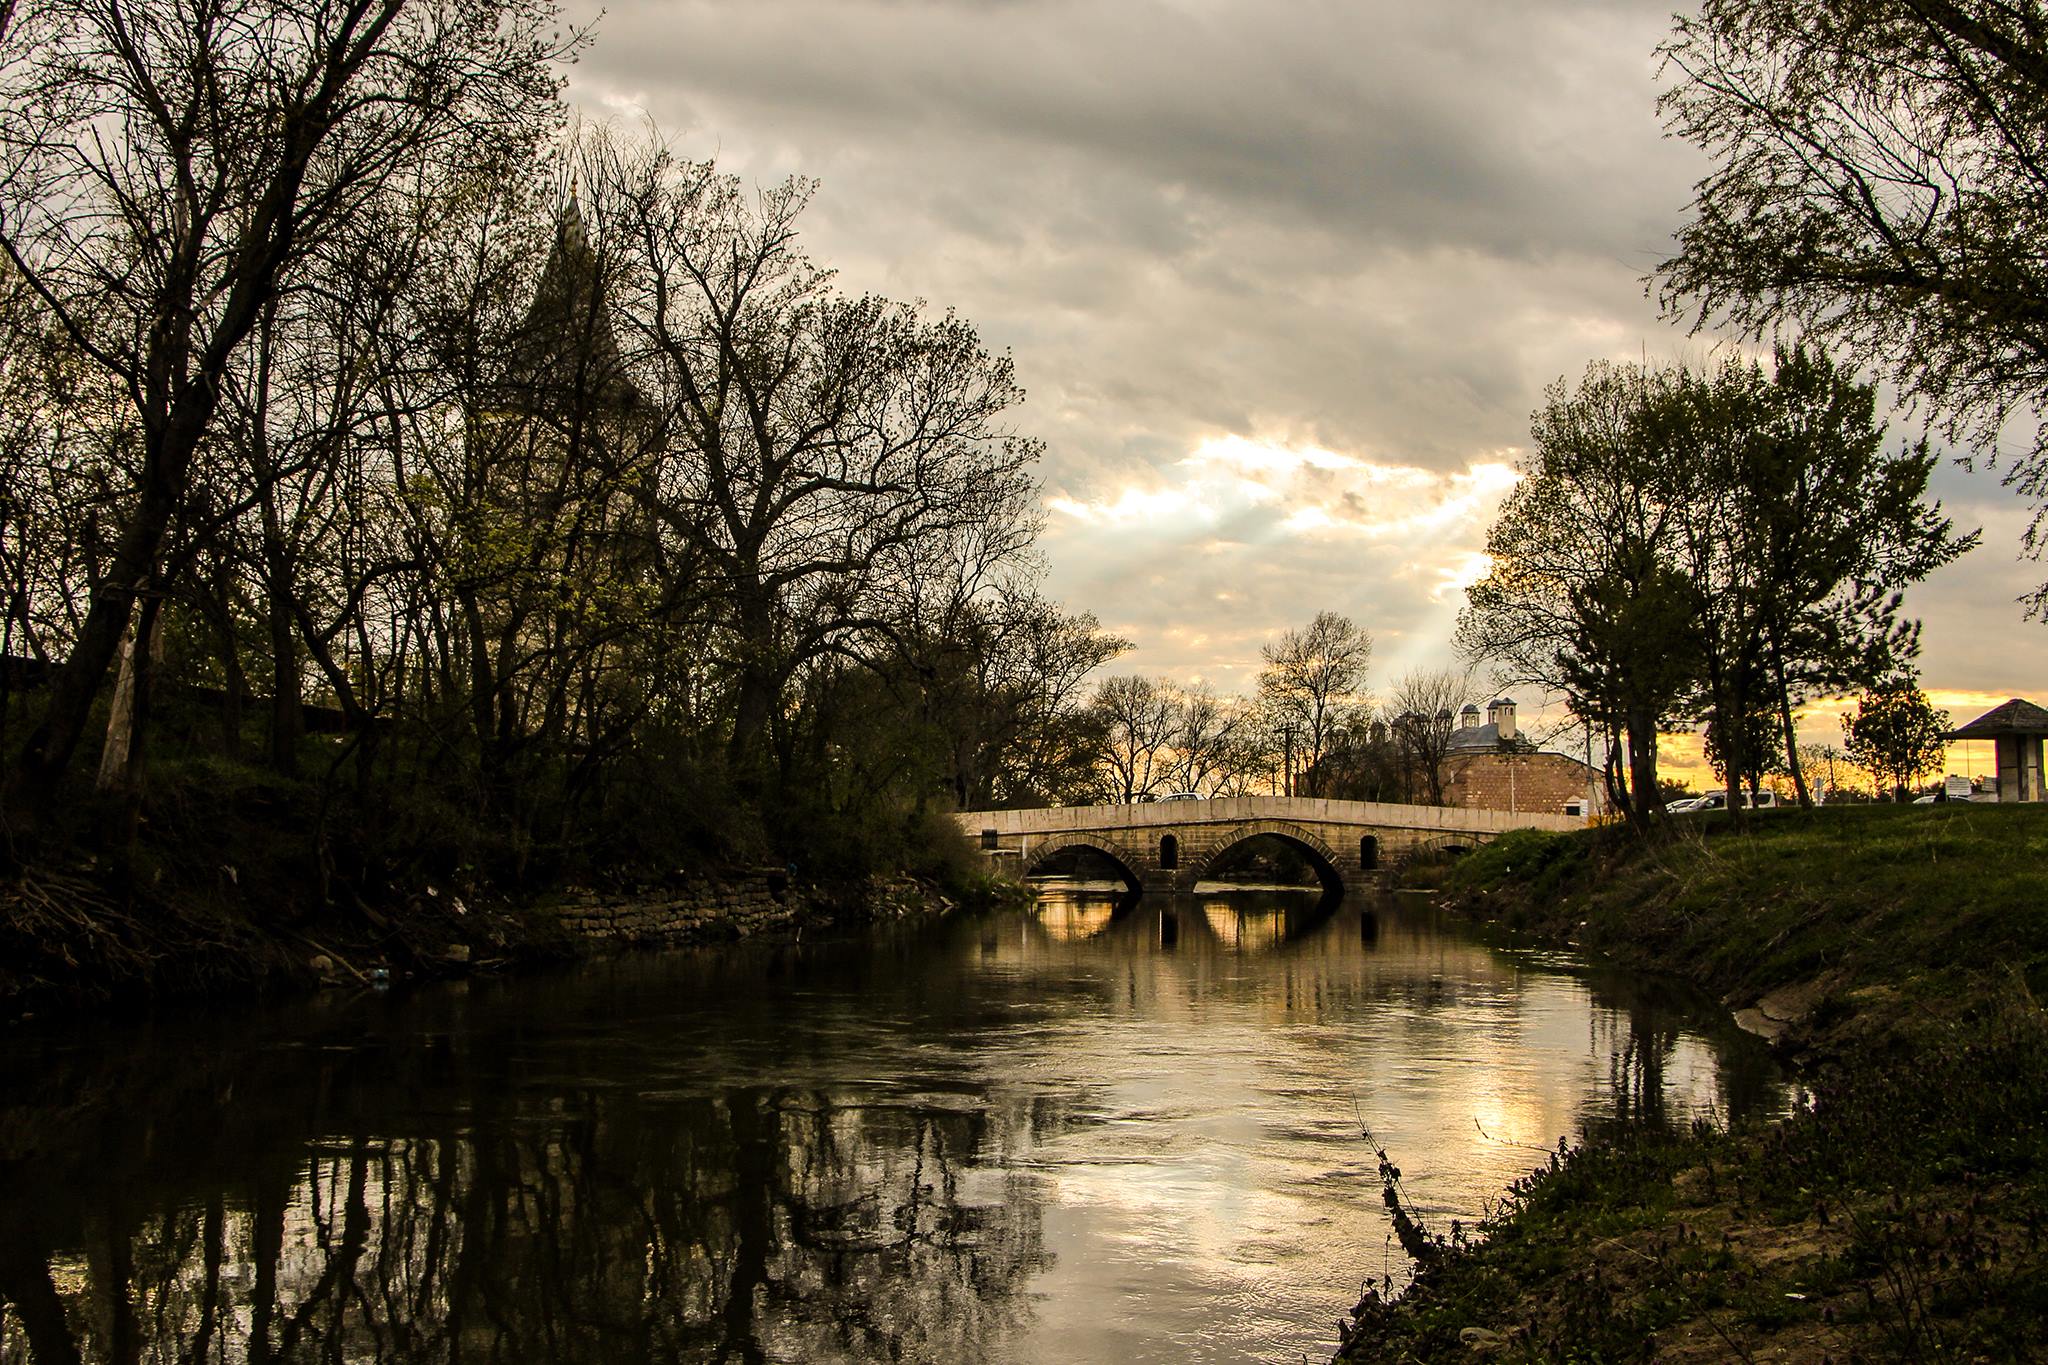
point(1881, 187)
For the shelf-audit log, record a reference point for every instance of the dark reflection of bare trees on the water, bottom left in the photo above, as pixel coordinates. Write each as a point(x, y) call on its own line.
point(771, 1223)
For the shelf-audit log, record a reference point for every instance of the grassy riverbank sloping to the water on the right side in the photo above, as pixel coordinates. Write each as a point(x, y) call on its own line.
point(1897, 959)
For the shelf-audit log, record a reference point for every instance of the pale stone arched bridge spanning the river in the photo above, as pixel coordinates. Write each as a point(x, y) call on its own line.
point(1175, 844)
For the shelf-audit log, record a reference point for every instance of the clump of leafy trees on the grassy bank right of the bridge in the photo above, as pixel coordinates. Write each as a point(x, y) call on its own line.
point(1721, 543)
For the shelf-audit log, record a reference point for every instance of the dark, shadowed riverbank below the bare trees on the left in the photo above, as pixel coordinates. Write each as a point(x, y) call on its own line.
point(249, 906)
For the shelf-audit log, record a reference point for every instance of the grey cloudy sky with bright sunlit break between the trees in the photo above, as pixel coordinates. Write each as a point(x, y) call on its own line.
point(1283, 277)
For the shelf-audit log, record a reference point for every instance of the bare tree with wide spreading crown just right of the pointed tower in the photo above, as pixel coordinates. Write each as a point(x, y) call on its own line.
point(812, 445)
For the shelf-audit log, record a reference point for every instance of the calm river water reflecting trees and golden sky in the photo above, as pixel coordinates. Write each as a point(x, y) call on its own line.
point(1072, 1135)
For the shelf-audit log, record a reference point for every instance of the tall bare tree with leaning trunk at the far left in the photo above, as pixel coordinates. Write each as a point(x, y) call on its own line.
point(165, 171)
